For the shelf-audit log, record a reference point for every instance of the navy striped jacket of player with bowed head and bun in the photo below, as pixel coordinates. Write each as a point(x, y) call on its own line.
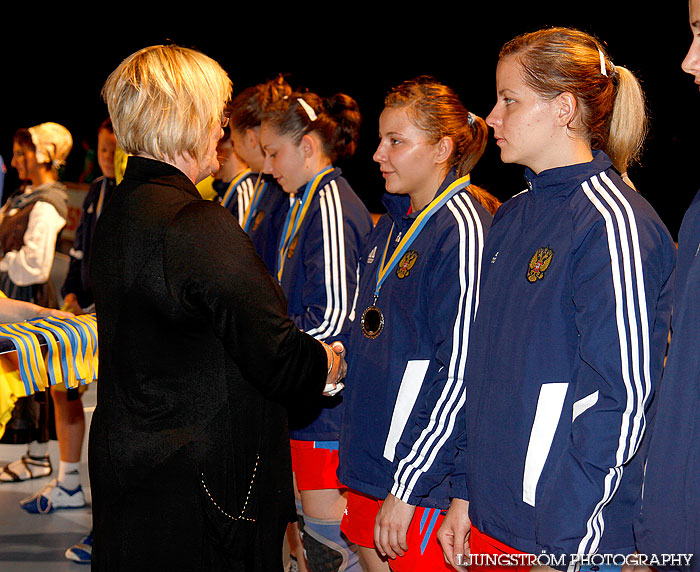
point(320, 282)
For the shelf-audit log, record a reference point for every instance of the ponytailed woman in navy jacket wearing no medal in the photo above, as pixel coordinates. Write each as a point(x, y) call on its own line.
point(571, 330)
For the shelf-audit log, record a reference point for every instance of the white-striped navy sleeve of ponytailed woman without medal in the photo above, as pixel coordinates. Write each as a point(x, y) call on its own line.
point(621, 275)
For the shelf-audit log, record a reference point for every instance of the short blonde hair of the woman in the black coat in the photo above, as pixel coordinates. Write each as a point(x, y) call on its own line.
point(165, 100)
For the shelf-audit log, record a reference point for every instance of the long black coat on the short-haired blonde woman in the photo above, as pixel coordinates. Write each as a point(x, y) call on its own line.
point(189, 452)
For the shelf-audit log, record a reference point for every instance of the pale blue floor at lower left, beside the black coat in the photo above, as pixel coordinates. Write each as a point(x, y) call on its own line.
point(30, 542)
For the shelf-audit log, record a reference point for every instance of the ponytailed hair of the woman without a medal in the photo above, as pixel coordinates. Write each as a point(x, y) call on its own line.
point(612, 109)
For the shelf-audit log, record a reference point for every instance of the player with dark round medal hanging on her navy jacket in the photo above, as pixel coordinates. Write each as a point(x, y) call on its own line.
point(418, 295)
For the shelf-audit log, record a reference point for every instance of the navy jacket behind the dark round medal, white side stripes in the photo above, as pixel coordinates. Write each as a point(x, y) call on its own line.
point(405, 387)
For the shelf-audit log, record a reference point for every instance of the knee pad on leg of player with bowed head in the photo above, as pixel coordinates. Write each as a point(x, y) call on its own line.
point(325, 546)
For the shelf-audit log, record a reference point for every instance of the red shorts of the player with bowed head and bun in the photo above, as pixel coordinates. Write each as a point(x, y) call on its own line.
point(315, 464)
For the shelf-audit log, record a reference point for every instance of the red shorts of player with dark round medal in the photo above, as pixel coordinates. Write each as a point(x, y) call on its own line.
point(424, 551)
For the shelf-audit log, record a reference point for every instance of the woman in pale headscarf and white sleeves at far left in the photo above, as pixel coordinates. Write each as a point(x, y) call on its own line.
point(30, 222)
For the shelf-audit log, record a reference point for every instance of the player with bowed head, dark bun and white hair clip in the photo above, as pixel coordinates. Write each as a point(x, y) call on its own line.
point(323, 233)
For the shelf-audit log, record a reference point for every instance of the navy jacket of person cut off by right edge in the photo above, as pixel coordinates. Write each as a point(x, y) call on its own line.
point(670, 516)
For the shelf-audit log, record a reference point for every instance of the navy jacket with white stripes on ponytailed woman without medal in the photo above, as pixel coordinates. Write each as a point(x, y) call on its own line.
point(564, 356)
